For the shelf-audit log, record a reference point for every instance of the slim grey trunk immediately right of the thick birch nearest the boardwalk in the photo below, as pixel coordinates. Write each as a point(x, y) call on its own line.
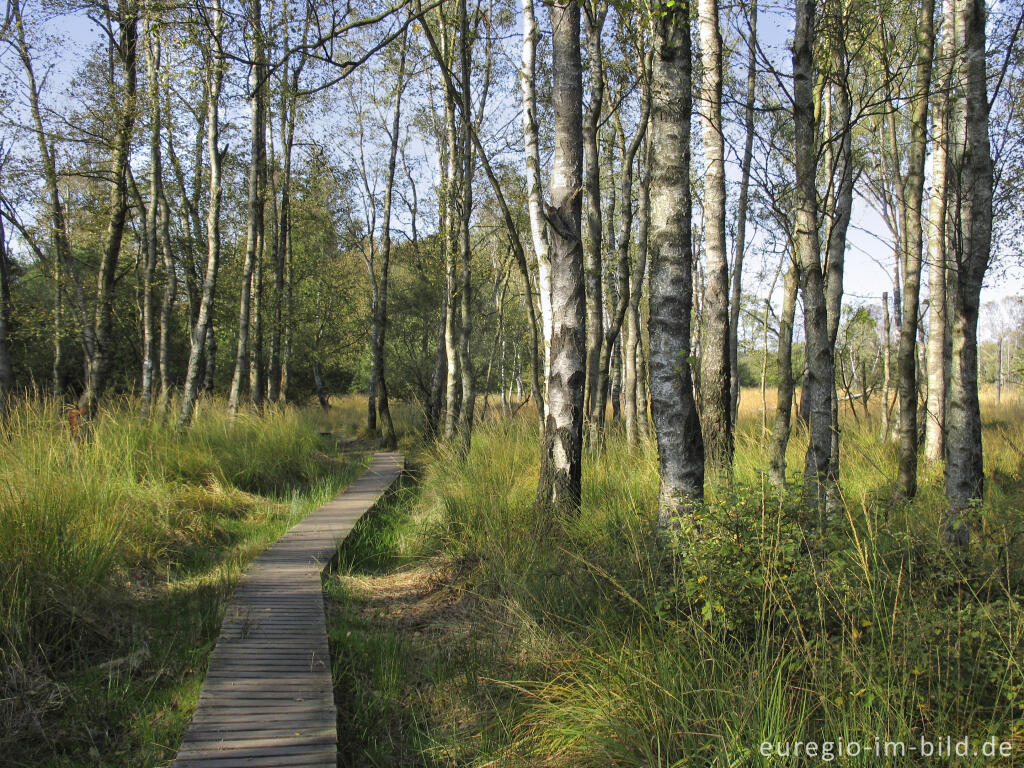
point(596, 14)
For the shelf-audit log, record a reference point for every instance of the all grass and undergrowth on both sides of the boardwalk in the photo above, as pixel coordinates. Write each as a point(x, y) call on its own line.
point(470, 628)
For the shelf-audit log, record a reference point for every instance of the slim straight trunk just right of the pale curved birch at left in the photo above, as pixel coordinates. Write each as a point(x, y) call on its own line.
point(254, 230)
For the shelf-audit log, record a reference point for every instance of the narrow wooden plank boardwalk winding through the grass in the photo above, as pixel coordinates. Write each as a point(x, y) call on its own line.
point(268, 699)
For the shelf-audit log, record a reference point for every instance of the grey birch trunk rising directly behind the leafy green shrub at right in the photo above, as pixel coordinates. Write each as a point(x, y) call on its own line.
point(821, 489)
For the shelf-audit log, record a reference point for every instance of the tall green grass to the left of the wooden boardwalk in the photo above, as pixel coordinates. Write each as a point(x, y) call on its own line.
point(117, 556)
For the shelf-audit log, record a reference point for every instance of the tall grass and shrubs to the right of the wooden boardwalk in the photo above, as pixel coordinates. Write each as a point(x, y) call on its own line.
point(471, 631)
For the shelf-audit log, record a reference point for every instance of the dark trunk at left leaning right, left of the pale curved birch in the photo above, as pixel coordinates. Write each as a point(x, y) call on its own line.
point(127, 16)
